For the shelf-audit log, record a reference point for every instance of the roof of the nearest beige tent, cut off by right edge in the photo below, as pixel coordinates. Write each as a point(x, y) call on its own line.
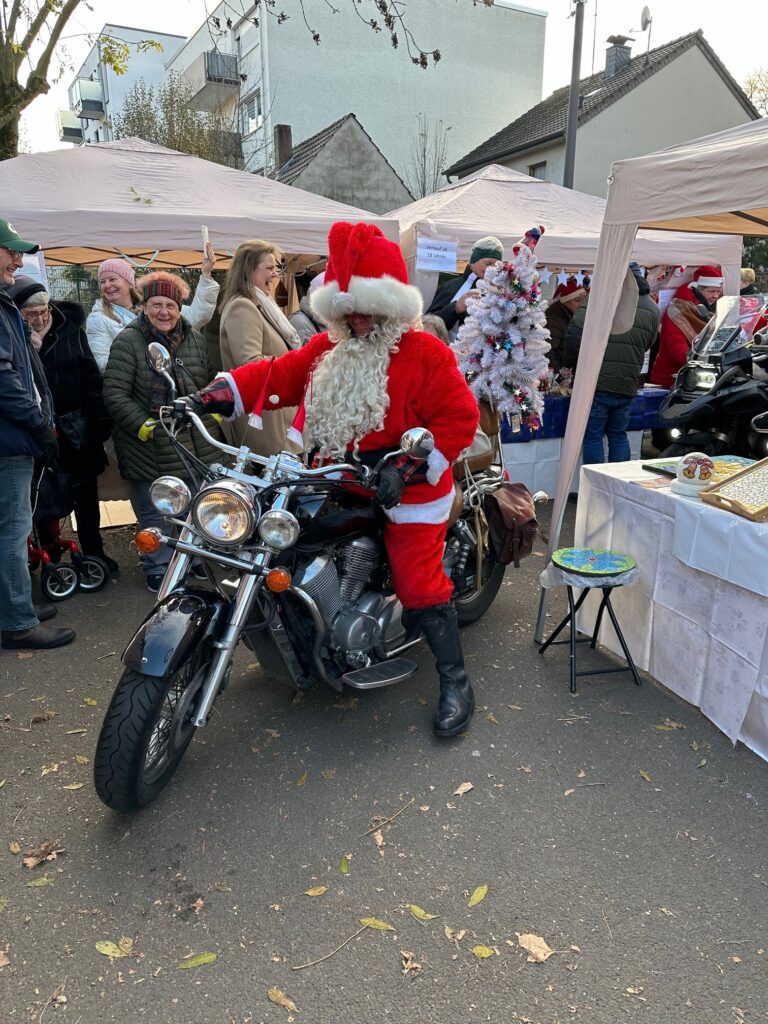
point(715, 184)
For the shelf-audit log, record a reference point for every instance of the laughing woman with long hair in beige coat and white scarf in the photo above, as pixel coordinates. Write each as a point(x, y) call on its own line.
point(253, 327)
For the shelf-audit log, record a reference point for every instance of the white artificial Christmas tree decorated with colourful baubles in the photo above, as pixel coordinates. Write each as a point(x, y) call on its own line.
point(503, 345)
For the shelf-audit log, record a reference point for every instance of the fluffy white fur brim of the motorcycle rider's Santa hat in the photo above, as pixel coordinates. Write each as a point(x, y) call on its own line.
point(372, 296)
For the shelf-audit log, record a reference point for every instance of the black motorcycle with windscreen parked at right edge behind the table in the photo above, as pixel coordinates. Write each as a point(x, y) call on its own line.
point(721, 388)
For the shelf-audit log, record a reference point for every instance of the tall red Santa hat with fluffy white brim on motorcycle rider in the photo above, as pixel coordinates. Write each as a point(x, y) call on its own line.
point(366, 274)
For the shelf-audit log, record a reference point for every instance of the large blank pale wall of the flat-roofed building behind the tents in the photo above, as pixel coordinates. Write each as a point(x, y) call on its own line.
point(490, 73)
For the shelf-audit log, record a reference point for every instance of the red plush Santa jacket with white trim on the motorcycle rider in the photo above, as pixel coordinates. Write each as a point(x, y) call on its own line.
point(426, 390)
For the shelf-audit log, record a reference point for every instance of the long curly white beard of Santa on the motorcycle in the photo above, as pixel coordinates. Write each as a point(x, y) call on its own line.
point(348, 398)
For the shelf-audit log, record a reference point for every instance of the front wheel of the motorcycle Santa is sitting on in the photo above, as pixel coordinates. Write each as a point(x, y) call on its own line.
point(145, 736)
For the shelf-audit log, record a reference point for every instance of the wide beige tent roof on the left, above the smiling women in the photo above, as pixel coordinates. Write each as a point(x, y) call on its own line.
point(132, 197)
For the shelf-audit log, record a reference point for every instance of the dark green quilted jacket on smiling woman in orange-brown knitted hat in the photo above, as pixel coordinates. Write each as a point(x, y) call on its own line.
point(127, 397)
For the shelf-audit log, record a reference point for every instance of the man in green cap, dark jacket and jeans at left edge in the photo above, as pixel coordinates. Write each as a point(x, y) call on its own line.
point(26, 435)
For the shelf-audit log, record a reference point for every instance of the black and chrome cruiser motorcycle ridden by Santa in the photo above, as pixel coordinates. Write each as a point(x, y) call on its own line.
point(297, 571)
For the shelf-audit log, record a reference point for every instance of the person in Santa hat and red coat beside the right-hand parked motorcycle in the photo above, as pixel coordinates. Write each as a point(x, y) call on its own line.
point(684, 321)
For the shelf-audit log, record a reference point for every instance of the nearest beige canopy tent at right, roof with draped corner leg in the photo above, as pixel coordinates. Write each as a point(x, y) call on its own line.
point(715, 184)
